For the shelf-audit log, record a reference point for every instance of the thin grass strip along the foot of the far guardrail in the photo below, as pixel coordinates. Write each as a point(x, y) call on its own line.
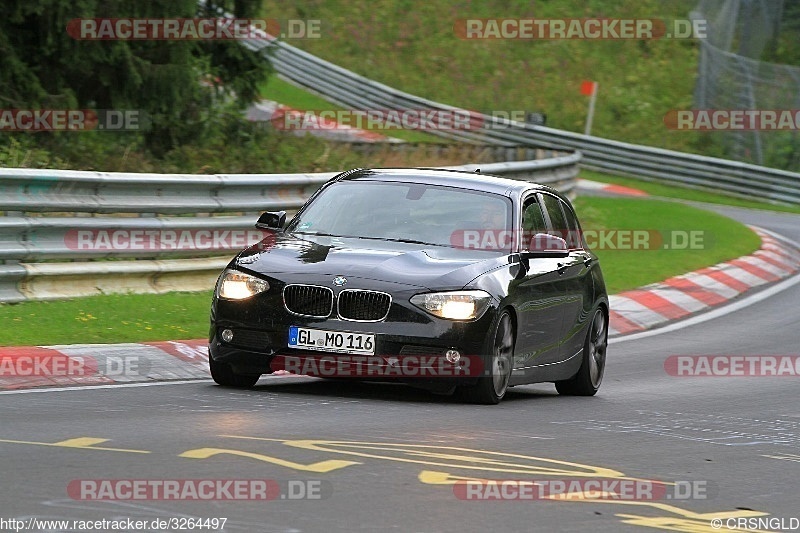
point(684, 193)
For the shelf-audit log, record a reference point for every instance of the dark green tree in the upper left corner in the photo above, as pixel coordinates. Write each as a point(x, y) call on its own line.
point(176, 83)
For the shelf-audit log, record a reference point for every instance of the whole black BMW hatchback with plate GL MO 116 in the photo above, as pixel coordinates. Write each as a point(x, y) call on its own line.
point(444, 279)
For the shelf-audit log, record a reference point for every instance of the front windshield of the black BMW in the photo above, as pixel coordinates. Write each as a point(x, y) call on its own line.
point(406, 212)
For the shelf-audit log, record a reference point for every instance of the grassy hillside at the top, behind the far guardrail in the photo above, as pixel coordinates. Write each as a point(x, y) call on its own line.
point(411, 45)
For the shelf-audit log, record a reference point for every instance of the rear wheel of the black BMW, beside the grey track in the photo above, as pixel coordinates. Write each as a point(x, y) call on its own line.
point(586, 381)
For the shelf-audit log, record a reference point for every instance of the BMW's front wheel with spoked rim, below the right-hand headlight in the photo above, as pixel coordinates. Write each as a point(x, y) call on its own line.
point(491, 388)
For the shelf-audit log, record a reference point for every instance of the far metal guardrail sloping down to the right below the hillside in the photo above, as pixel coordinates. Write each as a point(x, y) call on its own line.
point(353, 91)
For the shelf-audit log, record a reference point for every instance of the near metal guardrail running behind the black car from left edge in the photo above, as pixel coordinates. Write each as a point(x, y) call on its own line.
point(171, 251)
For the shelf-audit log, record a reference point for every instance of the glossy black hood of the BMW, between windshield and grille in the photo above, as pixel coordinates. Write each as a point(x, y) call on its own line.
point(417, 265)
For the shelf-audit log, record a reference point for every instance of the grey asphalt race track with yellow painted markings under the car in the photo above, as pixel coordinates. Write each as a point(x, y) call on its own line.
point(379, 457)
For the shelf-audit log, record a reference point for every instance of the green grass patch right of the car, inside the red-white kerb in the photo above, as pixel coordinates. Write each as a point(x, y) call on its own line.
point(723, 239)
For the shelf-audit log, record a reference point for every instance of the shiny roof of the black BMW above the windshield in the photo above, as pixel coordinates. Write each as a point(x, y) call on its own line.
point(446, 177)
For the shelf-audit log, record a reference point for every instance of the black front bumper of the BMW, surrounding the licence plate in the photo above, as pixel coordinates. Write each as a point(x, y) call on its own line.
point(408, 338)
